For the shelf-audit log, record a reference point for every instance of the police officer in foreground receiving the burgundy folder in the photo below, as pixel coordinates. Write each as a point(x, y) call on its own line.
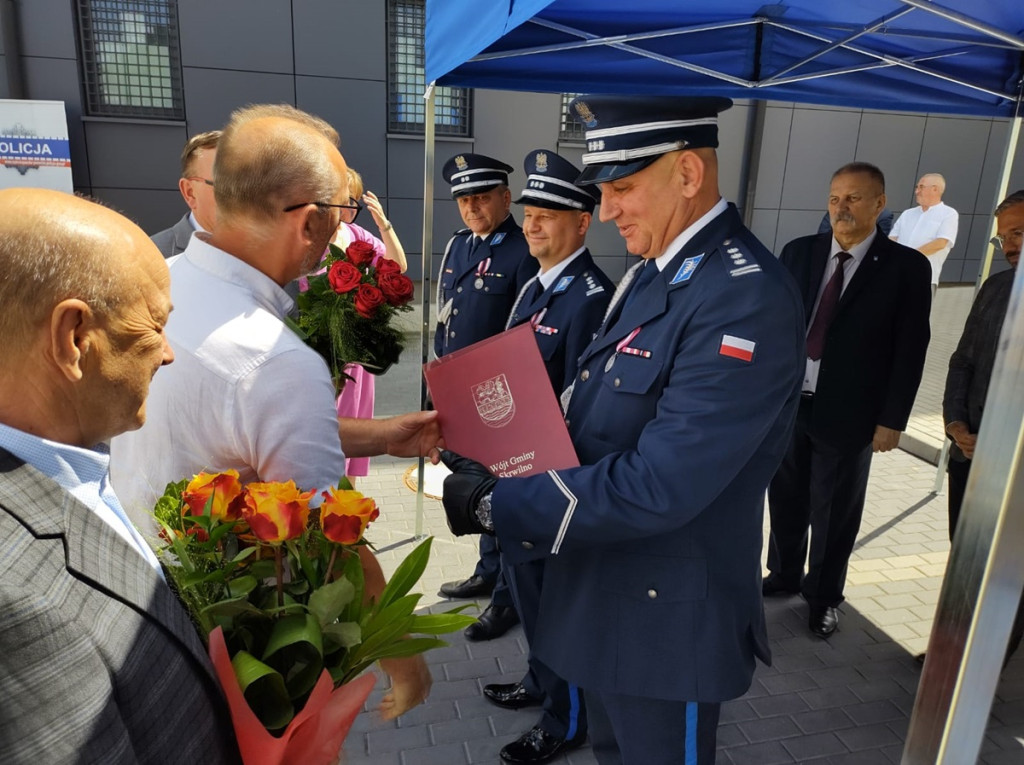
point(681, 410)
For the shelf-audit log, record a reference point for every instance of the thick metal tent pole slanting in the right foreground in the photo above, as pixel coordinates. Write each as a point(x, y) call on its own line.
point(984, 582)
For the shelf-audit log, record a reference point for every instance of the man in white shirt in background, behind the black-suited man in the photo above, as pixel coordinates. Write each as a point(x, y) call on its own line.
point(931, 227)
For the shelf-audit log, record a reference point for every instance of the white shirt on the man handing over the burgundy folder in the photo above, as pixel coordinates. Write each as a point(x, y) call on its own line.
point(244, 392)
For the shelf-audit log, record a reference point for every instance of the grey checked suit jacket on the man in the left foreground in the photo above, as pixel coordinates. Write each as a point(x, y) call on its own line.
point(99, 661)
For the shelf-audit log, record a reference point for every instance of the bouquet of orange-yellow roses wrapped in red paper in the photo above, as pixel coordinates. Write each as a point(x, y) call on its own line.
point(276, 589)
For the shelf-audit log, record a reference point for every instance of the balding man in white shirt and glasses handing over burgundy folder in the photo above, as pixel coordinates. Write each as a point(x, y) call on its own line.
point(246, 393)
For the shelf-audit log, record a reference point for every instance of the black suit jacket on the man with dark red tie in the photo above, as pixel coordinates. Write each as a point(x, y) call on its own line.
point(875, 350)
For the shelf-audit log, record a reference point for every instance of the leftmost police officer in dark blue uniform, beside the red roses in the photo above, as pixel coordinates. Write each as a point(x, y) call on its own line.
point(485, 268)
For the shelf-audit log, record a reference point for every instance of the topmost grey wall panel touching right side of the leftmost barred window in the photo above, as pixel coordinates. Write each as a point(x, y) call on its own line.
point(237, 35)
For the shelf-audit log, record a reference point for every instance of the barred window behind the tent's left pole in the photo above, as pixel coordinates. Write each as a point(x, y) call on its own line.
point(407, 109)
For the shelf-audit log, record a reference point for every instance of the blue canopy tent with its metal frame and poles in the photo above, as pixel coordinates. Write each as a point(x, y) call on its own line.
point(955, 57)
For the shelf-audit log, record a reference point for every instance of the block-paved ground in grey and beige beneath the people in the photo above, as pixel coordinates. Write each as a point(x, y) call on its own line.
point(842, 702)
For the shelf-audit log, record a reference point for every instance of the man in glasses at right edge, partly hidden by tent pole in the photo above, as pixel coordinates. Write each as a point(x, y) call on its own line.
point(971, 365)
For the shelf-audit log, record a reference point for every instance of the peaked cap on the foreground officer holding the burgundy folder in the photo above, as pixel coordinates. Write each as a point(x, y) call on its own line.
point(626, 134)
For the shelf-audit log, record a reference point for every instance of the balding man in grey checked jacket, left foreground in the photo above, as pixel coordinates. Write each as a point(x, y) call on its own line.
point(99, 661)
